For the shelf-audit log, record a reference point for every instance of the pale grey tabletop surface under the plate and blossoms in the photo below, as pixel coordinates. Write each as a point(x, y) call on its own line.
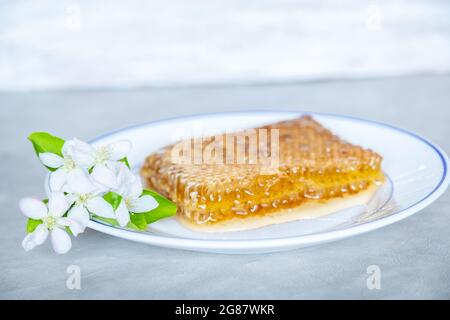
point(414, 254)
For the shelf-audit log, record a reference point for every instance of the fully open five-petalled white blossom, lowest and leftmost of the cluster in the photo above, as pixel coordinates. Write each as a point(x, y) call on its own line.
point(52, 222)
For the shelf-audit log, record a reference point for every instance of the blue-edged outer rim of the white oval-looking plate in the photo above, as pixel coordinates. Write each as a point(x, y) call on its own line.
point(192, 244)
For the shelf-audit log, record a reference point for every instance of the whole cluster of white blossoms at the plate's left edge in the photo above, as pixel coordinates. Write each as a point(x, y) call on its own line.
point(81, 176)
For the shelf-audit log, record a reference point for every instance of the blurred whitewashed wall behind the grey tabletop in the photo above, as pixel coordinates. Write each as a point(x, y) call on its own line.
point(47, 44)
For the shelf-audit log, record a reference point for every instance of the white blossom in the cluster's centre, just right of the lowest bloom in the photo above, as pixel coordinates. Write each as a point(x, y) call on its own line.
point(86, 198)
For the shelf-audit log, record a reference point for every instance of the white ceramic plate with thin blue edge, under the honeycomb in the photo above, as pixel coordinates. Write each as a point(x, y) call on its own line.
point(417, 171)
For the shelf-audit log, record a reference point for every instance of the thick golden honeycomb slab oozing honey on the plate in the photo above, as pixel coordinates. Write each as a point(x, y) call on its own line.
point(317, 173)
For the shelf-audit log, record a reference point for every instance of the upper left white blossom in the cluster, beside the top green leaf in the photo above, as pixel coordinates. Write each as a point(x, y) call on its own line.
point(63, 165)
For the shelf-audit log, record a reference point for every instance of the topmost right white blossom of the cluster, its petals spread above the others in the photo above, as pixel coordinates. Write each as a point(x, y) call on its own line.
point(102, 160)
